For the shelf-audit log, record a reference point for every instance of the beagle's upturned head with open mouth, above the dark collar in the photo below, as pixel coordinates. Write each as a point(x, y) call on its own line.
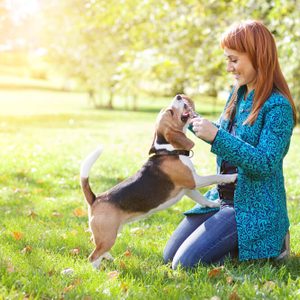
point(171, 125)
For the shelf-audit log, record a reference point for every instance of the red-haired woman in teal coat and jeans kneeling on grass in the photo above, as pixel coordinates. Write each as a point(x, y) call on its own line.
point(251, 138)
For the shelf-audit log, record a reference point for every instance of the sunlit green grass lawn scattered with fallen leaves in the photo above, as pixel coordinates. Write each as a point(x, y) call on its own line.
point(43, 138)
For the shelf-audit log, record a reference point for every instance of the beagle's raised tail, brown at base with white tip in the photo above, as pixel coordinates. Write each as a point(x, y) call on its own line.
point(84, 174)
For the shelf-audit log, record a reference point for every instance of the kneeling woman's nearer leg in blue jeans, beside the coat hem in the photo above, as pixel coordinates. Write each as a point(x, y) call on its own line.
point(210, 242)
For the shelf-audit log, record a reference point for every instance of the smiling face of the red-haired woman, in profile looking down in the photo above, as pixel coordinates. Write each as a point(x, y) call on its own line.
point(239, 64)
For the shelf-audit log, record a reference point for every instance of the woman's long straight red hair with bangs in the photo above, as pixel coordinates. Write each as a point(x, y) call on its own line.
point(253, 38)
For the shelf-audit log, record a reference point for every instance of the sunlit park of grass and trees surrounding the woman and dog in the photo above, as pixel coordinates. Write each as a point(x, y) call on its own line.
point(77, 73)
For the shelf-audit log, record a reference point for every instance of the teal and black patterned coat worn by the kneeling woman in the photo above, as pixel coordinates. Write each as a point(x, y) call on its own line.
point(258, 151)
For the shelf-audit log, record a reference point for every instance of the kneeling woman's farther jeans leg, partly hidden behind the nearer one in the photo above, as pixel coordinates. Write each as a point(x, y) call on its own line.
point(187, 226)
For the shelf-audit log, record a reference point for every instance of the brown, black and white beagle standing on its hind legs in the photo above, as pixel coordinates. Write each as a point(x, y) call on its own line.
point(162, 181)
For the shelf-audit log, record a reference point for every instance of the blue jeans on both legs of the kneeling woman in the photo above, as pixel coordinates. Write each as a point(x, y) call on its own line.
point(206, 238)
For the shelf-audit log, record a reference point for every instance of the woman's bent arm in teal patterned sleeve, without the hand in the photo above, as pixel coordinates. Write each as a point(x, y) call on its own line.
point(274, 140)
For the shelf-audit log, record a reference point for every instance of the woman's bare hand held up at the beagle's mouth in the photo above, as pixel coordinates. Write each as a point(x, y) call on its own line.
point(204, 129)
